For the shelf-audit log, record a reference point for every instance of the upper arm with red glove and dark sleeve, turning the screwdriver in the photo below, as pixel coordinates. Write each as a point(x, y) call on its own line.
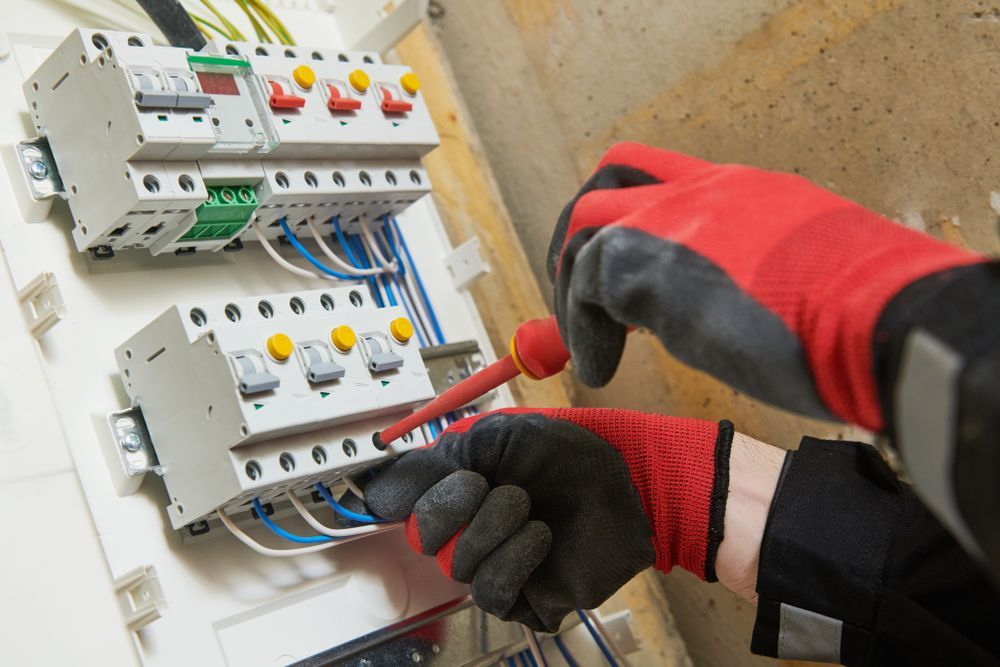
point(799, 298)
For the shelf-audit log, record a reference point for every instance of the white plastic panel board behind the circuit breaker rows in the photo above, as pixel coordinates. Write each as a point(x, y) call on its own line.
point(68, 534)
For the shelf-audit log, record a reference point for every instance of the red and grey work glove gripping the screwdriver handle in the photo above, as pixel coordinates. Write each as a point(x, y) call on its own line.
point(762, 279)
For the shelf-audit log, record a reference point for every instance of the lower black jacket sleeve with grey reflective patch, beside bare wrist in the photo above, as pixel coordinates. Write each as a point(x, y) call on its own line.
point(855, 570)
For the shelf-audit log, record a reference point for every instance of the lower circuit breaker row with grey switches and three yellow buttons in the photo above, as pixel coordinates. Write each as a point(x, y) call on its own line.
point(261, 396)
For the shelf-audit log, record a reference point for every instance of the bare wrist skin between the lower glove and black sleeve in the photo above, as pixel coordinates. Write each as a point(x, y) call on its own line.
point(754, 468)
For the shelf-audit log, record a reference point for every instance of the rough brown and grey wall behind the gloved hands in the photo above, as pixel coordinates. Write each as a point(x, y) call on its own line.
point(888, 102)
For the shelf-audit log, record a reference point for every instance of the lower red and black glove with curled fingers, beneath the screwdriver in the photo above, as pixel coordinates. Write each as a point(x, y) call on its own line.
point(547, 511)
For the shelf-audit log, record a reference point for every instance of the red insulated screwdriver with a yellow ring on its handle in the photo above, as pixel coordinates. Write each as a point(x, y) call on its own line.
point(536, 351)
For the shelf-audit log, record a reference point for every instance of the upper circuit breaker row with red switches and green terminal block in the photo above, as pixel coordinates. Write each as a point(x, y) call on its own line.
point(173, 150)
